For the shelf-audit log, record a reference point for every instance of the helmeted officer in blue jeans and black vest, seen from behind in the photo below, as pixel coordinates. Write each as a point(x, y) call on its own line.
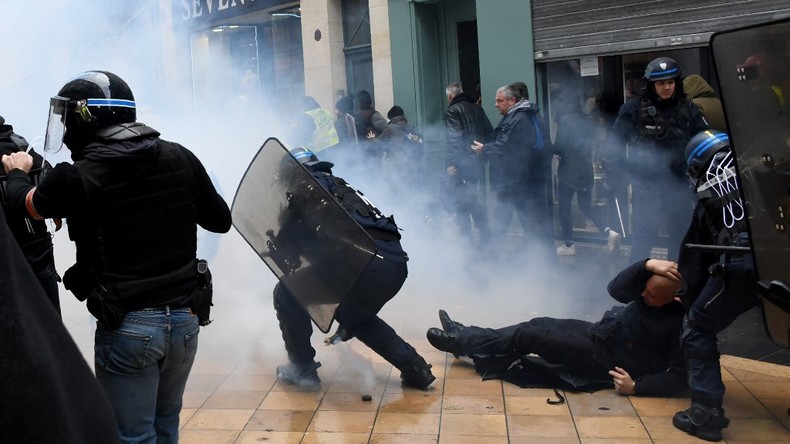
point(133, 202)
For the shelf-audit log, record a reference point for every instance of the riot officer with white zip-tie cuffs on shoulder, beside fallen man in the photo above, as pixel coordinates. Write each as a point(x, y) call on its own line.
point(718, 267)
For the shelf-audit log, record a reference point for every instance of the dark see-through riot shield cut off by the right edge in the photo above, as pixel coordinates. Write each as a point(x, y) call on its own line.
point(753, 68)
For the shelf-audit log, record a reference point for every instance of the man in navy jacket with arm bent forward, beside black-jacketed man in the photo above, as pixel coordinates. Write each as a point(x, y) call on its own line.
point(517, 174)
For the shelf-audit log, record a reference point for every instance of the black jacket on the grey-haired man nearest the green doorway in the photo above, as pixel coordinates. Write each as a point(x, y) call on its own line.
point(464, 123)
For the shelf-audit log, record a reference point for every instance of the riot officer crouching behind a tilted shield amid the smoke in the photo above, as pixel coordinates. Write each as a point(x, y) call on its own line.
point(377, 283)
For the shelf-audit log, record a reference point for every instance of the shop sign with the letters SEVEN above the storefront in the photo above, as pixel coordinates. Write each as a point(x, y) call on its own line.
point(209, 11)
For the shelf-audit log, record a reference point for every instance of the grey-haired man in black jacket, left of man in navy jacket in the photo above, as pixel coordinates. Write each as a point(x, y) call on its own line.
point(466, 122)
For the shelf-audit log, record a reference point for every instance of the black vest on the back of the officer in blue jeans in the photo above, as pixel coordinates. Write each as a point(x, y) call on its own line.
point(140, 222)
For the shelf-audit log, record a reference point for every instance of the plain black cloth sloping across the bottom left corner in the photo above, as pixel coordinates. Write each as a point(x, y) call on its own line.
point(44, 372)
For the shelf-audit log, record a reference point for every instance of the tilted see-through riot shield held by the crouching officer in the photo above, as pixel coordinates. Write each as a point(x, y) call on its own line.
point(301, 232)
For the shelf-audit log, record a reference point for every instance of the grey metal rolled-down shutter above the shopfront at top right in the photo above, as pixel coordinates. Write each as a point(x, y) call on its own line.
point(569, 29)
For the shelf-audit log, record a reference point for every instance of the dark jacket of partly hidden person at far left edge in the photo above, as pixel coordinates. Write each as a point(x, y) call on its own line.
point(31, 234)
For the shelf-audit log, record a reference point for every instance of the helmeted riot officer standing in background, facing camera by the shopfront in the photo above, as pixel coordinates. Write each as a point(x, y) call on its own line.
point(646, 150)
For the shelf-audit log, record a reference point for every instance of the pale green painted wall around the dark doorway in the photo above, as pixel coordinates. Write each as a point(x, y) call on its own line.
point(424, 59)
